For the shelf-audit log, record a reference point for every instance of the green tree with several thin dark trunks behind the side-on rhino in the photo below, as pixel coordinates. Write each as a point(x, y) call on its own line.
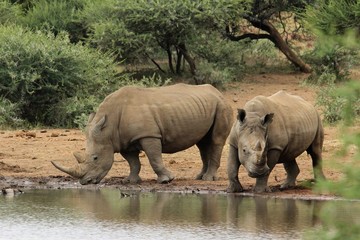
point(172, 23)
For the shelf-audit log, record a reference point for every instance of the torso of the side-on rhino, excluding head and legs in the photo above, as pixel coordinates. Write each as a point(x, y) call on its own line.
point(181, 115)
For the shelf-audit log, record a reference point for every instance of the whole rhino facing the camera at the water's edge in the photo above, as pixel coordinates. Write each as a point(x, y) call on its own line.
point(271, 130)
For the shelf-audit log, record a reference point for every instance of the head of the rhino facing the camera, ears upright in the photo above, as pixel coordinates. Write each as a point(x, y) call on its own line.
point(252, 141)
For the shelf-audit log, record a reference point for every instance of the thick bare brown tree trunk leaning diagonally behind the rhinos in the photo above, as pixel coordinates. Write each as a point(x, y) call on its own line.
point(280, 43)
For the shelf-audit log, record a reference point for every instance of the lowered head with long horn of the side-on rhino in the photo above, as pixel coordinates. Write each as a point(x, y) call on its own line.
point(99, 154)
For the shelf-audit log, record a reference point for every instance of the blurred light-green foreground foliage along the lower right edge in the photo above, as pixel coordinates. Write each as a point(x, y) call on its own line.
point(349, 185)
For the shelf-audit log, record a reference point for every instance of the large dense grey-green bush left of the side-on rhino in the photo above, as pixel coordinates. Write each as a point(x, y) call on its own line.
point(43, 74)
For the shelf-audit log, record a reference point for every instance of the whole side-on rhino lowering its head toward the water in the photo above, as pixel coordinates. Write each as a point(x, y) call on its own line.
point(154, 120)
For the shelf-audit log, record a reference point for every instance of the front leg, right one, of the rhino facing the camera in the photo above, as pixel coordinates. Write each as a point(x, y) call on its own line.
point(261, 182)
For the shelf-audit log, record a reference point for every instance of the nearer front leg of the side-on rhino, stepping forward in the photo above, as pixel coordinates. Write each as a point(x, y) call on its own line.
point(153, 149)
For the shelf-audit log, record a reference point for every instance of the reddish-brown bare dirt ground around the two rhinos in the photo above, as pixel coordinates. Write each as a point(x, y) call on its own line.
point(25, 155)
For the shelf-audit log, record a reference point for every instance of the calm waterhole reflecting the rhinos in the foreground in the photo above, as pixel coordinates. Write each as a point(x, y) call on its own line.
point(108, 214)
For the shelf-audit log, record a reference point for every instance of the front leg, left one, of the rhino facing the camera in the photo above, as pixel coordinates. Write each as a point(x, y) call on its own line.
point(233, 165)
